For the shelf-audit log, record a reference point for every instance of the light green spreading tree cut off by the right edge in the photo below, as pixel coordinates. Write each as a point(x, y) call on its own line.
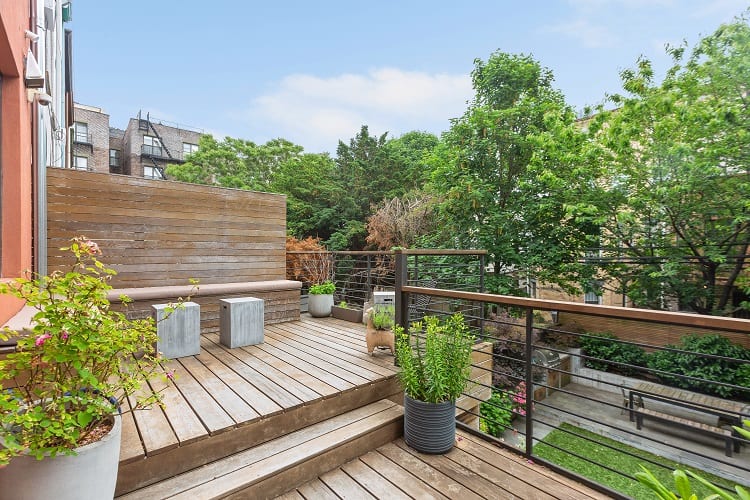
point(674, 194)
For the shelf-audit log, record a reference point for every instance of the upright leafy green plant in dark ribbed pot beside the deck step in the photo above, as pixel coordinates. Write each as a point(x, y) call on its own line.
point(435, 364)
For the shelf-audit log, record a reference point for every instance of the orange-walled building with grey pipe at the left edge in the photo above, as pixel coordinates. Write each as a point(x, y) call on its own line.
point(35, 110)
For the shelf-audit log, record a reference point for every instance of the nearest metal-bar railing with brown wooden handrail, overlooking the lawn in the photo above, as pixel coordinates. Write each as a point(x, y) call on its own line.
point(542, 384)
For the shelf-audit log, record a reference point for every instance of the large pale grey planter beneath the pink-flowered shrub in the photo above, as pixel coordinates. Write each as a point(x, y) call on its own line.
point(92, 473)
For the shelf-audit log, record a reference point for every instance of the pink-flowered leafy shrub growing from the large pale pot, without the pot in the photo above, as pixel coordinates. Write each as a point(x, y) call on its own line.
point(79, 363)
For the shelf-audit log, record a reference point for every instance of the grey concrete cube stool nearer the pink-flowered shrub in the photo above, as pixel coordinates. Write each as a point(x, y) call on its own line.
point(179, 331)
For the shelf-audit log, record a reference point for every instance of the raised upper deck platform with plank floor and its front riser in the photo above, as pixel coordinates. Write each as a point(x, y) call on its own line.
point(227, 400)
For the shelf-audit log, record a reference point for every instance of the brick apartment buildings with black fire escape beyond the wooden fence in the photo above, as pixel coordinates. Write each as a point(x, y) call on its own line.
point(143, 149)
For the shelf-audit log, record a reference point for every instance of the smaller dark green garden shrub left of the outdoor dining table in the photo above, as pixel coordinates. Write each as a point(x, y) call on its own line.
point(610, 354)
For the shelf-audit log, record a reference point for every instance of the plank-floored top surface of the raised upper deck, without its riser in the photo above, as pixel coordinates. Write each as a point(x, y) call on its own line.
point(223, 389)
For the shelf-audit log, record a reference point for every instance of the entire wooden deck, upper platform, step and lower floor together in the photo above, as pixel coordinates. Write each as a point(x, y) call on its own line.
point(235, 422)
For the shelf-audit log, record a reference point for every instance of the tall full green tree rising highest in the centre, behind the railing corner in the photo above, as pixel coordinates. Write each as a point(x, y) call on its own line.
point(504, 170)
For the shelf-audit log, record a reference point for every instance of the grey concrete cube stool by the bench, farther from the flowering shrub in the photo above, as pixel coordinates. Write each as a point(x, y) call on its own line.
point(241, 321)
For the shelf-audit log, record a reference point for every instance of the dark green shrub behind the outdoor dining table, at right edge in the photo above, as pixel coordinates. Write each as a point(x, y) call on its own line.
point(717, 367)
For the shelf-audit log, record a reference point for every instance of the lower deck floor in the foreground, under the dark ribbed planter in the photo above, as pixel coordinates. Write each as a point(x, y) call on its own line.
point(474, 469)
